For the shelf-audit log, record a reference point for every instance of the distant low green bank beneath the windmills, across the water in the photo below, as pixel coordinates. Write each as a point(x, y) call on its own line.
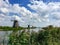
point(7, 28)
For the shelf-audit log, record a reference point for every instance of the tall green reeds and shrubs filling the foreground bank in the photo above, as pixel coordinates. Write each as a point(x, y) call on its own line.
point(48, 36)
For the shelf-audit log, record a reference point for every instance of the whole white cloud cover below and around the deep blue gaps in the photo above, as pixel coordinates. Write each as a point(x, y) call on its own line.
point(43, 13)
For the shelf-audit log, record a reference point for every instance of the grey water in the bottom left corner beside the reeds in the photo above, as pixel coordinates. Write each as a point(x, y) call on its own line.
point(4, 36)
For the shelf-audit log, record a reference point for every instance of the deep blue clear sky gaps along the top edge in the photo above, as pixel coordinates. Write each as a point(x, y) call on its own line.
point(25, 2)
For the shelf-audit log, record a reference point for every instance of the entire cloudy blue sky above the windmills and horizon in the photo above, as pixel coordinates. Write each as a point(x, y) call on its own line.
point(38, 13)
